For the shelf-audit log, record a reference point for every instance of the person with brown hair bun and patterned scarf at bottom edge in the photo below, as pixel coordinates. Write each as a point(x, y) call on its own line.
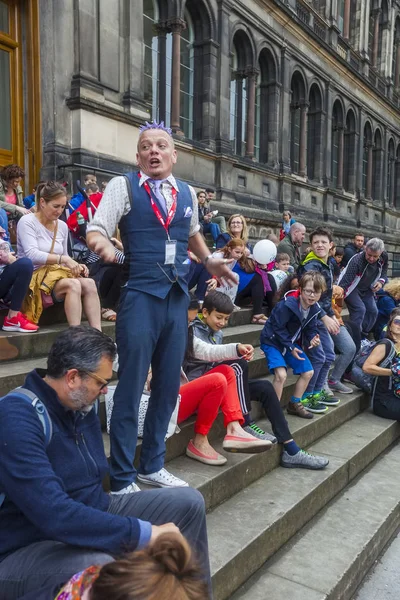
point(165, 569)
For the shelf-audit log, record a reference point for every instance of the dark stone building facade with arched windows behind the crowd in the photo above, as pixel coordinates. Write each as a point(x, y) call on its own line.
point(275, 103)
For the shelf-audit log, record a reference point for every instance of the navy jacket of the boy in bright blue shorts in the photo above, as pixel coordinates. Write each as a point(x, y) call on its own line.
point(284, 327)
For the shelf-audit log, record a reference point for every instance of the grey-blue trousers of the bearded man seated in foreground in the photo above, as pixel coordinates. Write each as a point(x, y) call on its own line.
point(30, 572)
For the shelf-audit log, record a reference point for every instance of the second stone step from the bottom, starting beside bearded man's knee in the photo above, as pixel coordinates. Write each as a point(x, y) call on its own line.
point(246, 530)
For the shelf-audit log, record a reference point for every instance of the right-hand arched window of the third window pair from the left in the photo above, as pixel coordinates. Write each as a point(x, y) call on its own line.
point(314, 134)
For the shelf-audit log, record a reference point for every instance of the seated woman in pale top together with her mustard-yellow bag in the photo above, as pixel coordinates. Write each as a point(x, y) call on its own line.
point(42, 237)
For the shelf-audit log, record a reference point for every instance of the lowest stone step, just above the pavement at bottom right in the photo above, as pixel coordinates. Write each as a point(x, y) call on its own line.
point(330, 557)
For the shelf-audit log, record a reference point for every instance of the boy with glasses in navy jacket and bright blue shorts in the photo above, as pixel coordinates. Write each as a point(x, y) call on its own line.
point(291, 330)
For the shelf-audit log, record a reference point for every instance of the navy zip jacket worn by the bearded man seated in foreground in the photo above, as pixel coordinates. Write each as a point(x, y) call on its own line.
point(56, 493)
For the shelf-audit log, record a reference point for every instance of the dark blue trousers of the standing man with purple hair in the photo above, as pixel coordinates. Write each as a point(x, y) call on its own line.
point(149, 331)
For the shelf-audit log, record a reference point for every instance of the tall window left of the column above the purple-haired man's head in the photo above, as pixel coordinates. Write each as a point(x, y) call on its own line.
point(150, 41)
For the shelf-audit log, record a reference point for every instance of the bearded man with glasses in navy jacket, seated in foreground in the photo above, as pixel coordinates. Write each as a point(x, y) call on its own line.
point(55, 518)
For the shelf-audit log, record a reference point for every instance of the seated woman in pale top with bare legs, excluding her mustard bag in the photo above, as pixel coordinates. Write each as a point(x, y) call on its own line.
point(35, 236)
